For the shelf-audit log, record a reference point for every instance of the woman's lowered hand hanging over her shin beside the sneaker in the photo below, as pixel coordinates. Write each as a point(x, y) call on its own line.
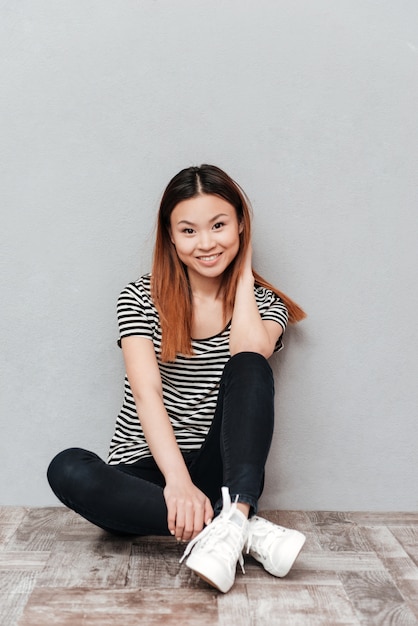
point(189, 509)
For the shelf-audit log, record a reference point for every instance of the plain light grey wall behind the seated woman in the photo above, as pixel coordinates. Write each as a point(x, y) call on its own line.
point(312, 107)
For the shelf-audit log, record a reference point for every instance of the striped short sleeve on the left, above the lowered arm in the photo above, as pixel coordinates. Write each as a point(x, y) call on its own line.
point(135, 312)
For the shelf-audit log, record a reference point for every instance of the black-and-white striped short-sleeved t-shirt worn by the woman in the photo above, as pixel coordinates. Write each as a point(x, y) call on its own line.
point(190, 384)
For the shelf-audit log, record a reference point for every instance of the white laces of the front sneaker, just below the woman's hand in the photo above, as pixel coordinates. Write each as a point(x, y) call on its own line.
point(218, 530)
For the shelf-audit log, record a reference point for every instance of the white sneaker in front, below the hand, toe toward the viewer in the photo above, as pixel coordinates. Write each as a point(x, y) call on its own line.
point(218, 548)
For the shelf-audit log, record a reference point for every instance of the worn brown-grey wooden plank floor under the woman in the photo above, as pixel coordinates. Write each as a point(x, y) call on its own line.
point(355, 568)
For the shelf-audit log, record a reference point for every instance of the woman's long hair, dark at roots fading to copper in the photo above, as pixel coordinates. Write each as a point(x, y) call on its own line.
point(170, 286)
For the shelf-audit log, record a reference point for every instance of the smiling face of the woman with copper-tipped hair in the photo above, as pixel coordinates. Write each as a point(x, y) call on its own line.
point(205, 231)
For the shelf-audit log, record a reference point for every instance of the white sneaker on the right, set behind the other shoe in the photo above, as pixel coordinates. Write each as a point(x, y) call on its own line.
point(275, 547)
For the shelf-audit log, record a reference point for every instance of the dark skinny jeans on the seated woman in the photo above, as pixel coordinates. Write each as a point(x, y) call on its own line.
point(128, 498)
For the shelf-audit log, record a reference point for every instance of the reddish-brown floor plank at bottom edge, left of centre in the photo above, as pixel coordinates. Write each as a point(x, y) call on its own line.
point(130, 607)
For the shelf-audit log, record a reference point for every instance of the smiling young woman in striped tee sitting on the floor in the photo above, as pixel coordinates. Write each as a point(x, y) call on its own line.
point(191, 440)
